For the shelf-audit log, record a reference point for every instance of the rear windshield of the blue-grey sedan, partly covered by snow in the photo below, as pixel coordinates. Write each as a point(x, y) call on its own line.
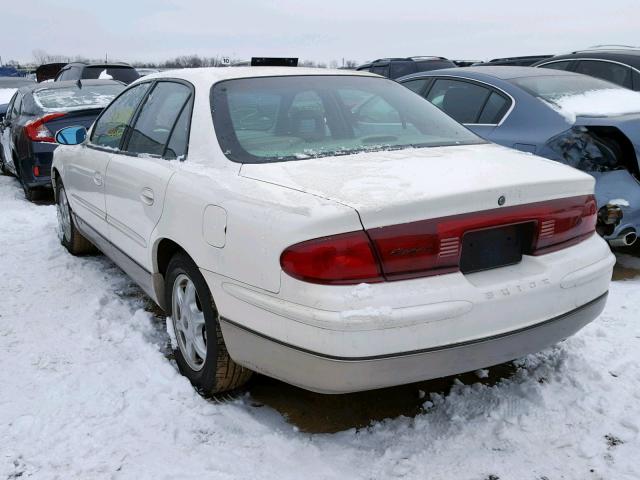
point(552, 87)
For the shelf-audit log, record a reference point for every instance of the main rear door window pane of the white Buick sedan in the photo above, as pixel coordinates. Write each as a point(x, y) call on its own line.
point(157, 117)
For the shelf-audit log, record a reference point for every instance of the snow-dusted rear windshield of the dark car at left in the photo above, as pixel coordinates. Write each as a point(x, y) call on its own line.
point(72, 98)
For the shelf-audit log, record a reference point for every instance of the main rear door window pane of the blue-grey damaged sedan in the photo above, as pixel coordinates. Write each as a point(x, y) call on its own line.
point(461, 100)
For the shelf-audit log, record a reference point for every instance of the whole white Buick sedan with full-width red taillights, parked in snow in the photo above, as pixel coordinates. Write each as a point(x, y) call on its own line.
point(329, 228)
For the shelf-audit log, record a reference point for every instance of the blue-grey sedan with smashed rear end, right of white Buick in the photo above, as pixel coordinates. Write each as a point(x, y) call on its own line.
point(581, 121)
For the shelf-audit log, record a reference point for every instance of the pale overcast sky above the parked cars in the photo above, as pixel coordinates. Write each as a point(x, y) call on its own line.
point(317, 30)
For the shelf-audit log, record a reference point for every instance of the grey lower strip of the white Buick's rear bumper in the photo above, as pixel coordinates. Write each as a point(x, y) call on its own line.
point(329, 374)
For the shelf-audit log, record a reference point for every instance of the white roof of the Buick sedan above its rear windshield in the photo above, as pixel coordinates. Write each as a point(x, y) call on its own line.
point(215, 74)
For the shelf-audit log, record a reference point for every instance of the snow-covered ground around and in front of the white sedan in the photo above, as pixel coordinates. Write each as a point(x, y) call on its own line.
point(86, 392)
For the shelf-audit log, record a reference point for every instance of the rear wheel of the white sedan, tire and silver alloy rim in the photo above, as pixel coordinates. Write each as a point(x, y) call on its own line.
point(195, 319)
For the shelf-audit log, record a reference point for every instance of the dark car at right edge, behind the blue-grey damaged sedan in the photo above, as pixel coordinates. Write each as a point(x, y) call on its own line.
point(617, 64)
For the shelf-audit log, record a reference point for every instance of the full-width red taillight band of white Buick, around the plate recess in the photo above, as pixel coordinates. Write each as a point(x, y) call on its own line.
point(433, 247)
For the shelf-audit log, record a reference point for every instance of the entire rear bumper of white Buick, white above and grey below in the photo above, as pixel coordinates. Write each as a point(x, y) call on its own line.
point(349, 338)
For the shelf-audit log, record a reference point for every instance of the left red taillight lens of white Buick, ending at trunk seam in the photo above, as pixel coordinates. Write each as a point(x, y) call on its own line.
point(338, 259)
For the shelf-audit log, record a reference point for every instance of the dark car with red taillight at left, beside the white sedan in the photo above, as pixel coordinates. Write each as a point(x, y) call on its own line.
point(33, 116)
